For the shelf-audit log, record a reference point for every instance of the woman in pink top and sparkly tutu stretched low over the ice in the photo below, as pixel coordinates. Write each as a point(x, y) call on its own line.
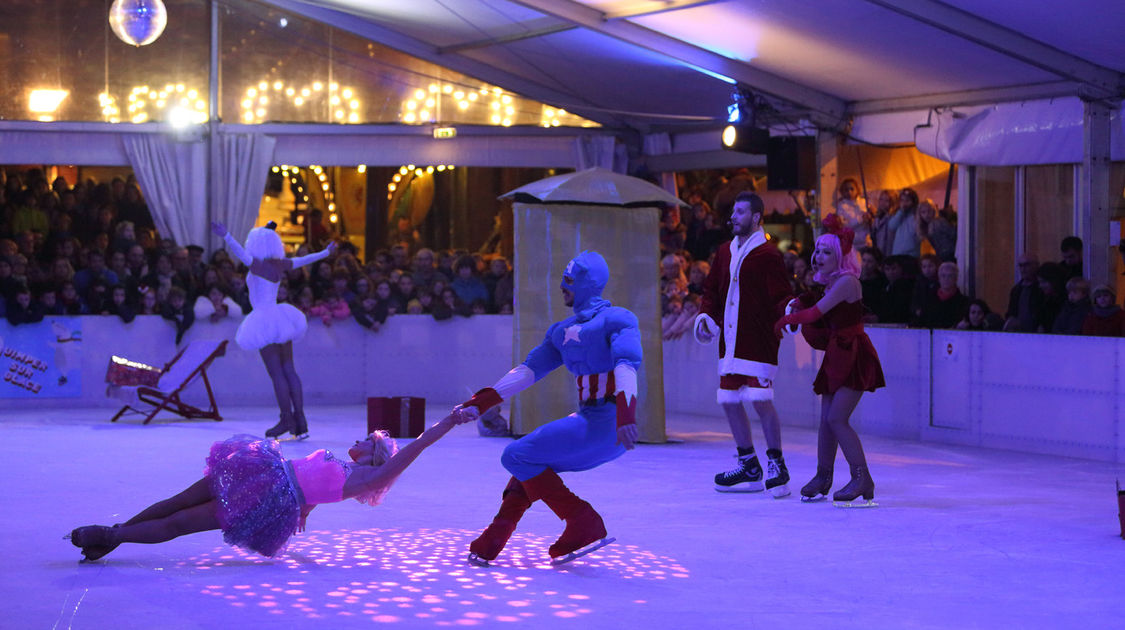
point(259, 499)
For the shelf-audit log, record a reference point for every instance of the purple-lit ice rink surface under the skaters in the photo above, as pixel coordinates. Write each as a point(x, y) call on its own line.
point(964, 538)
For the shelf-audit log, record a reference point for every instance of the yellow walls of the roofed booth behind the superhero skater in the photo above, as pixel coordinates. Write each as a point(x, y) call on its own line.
point(547, 237)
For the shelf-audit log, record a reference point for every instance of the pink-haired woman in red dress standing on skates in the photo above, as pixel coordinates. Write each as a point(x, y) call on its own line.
point(850, 368)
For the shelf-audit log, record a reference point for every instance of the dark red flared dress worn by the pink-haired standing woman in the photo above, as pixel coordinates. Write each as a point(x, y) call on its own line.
point(850, 358)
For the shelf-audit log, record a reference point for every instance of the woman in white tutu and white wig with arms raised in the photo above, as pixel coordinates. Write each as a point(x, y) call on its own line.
point(272, 328)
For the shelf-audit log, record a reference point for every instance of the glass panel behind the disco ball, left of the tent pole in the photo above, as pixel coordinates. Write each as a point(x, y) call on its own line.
point(62, 62)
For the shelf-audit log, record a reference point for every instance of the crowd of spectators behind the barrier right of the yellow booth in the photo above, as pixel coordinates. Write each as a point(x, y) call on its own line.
point(908, 271)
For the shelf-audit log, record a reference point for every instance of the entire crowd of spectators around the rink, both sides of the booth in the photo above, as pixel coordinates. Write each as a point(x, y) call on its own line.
point(93, 249)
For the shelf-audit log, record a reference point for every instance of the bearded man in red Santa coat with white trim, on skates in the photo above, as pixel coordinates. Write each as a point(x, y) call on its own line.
point(744, 295)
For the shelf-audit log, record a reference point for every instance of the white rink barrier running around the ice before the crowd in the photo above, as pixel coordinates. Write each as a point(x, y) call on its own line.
point(1046, 394)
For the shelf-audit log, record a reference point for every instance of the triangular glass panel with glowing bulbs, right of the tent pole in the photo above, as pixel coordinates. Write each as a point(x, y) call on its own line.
point(278, 67)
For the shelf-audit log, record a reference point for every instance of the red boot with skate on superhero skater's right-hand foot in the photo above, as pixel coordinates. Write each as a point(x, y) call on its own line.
point(584, 532)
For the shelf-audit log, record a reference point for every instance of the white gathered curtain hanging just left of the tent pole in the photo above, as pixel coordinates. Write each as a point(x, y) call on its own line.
point(173, 178)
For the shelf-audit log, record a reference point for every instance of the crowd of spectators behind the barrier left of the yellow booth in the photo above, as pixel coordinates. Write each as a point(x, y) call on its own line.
point(92, 249)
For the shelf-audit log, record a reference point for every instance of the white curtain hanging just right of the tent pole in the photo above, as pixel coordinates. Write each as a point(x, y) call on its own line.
point(245, 164)
